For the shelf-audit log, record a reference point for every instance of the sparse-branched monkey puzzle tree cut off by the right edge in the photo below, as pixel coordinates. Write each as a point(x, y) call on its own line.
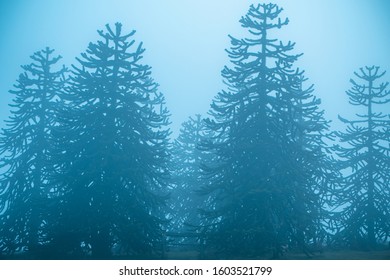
point(364, 192)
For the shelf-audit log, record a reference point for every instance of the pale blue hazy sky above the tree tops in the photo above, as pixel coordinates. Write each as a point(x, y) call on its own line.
point(185, 42)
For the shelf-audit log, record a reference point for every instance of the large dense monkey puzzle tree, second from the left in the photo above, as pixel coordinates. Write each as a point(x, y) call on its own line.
point(112, 153)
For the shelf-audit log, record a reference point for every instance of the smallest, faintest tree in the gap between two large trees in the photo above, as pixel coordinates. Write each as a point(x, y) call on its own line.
point(187, 179)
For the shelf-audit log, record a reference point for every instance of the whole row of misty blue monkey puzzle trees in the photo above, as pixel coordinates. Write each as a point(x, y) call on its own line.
point(88, 169)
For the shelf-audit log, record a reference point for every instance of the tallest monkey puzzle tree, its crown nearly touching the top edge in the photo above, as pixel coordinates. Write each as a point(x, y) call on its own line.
point(269, 141)
